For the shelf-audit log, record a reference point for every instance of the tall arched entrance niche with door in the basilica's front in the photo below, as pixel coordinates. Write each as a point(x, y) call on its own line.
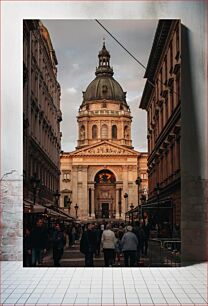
point(105, 194)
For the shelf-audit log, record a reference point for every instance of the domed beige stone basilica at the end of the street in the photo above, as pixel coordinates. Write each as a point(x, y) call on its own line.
point(98, 177)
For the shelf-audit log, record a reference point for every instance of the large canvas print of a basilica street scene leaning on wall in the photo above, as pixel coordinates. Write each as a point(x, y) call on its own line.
point(102, 122)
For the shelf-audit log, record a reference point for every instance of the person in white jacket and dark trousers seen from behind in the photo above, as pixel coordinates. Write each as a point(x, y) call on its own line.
point(108, 241)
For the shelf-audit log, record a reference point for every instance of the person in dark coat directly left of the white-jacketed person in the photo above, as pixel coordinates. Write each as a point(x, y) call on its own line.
point(88, 245)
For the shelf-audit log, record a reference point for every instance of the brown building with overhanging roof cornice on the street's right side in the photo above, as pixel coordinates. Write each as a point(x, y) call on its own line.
point(162, 101)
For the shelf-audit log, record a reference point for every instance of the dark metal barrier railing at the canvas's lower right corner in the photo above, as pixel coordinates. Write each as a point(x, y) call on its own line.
point(165, 252)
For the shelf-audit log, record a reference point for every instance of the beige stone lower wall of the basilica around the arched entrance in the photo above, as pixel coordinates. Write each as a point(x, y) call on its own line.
point(83, 170)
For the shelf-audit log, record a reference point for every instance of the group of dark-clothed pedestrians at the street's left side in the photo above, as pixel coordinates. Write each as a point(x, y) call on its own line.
point(40, 240)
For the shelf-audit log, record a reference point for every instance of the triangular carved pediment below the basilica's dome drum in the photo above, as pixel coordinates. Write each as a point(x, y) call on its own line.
point(104, 148)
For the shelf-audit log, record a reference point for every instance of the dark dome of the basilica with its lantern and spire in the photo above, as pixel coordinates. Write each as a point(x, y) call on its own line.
point(104, 86)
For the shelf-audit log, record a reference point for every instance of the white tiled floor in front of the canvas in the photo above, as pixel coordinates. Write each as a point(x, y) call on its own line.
point(103, 286)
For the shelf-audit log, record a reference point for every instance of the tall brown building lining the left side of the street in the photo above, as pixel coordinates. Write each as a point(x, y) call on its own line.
point(41, 116)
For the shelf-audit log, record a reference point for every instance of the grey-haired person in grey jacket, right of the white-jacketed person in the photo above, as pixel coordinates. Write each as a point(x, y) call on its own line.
point(129, 243)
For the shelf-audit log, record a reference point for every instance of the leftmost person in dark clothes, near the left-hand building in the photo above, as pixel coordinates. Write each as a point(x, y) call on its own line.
point(39, 240)
